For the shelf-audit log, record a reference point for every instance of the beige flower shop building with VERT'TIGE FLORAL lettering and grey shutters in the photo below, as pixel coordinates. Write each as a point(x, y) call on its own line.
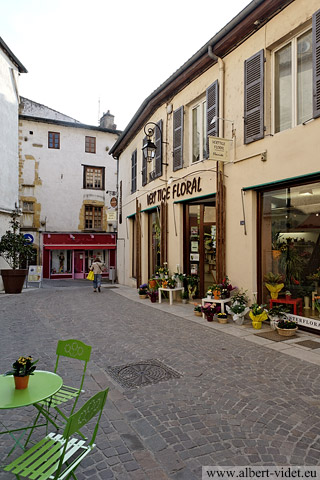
point(256, 83)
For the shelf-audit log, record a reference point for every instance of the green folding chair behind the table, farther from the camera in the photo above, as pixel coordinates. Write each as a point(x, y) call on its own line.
point(71, 349)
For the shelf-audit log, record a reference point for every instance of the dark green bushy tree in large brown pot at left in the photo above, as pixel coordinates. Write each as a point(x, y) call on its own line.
point(16, 251)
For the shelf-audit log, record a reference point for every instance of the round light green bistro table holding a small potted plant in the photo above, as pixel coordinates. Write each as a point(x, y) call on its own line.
point(41, 386)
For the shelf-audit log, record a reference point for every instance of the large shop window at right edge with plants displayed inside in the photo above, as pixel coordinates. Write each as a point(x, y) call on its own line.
point(290, 241)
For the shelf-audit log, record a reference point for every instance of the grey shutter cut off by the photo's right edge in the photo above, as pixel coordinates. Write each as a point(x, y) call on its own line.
point(316, 63)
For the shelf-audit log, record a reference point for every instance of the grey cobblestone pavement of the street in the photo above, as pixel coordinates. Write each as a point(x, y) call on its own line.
point(236, 402)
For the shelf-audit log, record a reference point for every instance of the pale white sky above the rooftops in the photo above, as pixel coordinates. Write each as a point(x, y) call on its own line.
point(87, 57)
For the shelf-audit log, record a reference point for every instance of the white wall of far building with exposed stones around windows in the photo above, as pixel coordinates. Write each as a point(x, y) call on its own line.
point(53, 178)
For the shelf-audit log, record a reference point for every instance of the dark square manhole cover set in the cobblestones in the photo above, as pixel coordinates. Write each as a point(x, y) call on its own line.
point(142, 373)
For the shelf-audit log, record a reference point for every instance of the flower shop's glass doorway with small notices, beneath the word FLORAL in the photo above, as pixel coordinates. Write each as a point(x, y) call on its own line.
point(200, 242)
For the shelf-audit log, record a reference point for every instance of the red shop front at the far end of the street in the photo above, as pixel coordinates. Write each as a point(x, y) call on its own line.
point(70, 255)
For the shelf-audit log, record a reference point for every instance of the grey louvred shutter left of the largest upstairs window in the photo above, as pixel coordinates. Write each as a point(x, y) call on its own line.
point(254, 98)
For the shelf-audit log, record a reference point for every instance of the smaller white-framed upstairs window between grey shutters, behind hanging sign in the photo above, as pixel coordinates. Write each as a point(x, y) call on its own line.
point(198, 129)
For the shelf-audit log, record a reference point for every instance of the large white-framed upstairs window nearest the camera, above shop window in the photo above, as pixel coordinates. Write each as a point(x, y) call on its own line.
point(292, 87)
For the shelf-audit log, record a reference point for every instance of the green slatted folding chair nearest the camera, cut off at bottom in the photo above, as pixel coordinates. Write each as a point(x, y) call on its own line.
point(57, 456)
